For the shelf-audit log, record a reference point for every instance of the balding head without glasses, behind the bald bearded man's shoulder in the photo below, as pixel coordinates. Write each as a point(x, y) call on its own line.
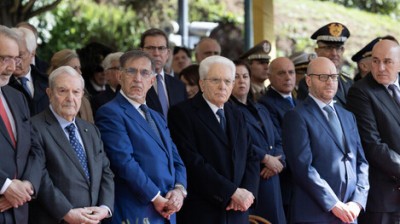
point(282, 75)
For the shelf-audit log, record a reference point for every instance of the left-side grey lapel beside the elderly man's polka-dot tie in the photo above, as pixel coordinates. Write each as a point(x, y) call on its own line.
point(61, 139)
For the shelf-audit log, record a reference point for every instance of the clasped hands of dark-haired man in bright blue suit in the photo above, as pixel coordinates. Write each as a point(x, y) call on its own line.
point(170, 204)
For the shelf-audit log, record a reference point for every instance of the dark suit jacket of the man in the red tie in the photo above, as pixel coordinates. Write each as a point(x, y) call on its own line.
point(13, 162)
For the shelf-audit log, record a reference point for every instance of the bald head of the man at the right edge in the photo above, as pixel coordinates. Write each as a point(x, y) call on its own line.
point(385, 61)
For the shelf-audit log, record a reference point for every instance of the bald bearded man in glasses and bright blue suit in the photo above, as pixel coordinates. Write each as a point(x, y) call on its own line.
point(322, 143)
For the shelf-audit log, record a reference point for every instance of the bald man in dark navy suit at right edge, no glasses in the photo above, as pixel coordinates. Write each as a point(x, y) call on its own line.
point(375, 102)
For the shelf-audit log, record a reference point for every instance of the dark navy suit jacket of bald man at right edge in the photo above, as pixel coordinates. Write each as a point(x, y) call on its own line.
point(378, 119)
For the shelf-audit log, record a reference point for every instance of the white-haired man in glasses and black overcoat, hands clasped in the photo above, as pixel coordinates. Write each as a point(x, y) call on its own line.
point(223, 171)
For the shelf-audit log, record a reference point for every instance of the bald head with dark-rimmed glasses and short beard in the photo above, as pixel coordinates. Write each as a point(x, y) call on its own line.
point(322, 79)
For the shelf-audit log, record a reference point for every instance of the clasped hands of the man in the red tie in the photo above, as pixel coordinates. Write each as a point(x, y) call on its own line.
point(17, 194)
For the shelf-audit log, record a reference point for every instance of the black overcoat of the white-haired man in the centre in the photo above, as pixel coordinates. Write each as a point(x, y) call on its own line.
point(217, 163)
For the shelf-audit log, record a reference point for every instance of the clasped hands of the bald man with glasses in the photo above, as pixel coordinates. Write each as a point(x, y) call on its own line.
point(348, 212)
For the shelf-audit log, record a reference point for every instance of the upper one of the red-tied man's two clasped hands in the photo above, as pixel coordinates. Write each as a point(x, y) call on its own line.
point(19, 192)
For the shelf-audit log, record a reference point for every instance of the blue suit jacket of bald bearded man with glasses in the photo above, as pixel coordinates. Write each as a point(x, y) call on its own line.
point(325, 172)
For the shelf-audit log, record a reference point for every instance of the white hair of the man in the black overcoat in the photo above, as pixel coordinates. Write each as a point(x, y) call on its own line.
point(206, 64)
